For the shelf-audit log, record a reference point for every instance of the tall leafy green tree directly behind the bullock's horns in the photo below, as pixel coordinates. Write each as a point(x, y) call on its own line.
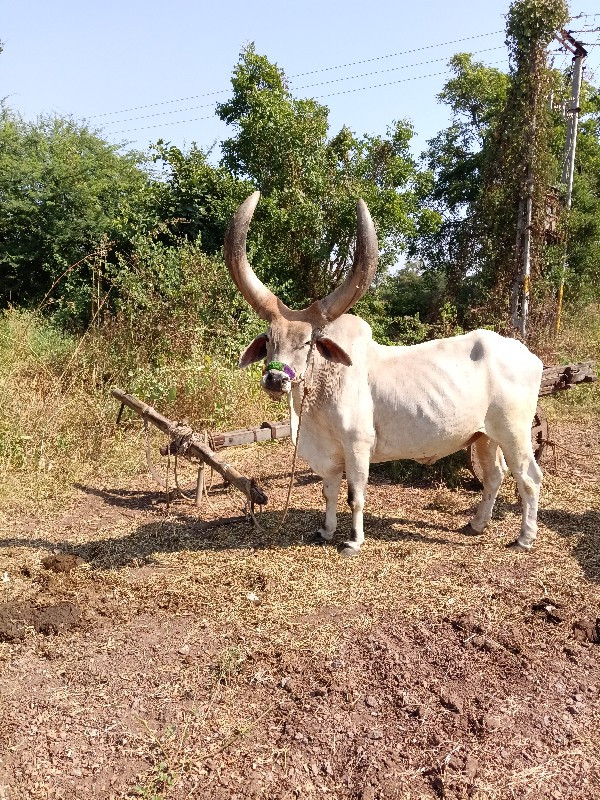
point(305, 225)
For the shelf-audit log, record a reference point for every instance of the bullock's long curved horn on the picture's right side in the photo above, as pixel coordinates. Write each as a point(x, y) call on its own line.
point(363, 269)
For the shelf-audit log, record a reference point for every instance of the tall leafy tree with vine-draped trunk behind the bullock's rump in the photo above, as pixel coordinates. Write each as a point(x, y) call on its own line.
point(499, 149)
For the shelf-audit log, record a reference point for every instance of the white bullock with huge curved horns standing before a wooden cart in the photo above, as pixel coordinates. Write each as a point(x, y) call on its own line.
point(370, 403)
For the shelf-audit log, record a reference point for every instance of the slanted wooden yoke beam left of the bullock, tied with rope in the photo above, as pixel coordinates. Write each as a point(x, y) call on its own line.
point(189, 443)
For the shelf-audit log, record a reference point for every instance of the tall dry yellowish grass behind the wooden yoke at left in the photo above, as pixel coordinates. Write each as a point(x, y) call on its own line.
point(57, 417)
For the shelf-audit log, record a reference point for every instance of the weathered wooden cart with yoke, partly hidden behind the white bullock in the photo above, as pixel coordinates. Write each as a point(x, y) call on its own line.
point(198, 447)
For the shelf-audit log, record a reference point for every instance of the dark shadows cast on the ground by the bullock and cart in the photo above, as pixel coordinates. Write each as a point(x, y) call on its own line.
point(182, 531)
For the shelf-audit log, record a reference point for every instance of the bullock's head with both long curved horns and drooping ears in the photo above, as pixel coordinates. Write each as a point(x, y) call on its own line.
point(285, 346)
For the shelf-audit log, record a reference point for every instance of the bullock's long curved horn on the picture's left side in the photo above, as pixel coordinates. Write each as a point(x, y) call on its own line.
point(262, 300)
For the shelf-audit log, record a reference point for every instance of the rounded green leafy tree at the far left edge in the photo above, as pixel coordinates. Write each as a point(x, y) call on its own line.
point(62, 190)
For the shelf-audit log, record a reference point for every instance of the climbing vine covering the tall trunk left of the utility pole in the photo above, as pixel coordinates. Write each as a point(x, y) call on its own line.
point(519, 166)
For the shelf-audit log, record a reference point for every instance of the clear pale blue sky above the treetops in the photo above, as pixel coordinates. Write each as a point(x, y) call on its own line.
point(90, 60)
